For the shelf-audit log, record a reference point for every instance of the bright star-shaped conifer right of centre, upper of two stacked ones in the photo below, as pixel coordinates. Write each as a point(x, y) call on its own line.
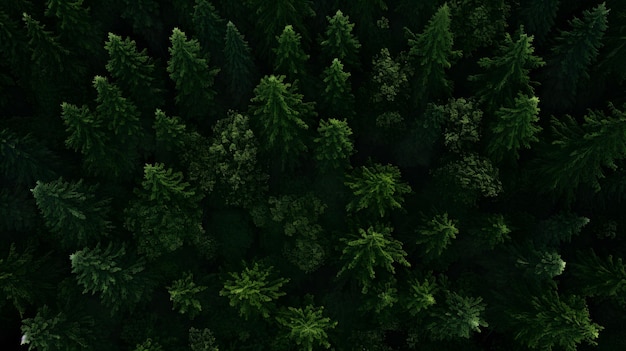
point(377, 189)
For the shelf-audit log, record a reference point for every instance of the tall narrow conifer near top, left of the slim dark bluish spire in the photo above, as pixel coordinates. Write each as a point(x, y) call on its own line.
point(190, 70)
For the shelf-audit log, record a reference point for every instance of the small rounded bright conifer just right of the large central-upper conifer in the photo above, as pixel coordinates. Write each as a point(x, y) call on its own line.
point(333, 146)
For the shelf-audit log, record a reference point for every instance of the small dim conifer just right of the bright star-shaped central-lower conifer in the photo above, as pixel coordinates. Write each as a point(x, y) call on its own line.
point(436, 234)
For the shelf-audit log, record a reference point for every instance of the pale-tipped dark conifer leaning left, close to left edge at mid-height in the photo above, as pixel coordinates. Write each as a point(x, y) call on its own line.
point(72, 212)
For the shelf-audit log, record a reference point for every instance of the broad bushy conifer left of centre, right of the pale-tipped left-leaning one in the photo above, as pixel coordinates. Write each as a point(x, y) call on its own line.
point(164, 213)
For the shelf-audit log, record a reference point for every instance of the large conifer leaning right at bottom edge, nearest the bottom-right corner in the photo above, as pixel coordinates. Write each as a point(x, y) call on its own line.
point(552, 322)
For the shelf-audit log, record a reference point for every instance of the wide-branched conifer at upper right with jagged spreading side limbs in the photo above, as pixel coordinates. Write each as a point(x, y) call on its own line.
point(507, 73)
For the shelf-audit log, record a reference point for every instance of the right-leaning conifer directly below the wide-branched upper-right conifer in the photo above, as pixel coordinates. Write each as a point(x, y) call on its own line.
point(515, 127)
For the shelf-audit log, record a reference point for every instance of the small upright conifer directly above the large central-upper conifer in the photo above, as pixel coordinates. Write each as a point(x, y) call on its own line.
point(290, 58)
